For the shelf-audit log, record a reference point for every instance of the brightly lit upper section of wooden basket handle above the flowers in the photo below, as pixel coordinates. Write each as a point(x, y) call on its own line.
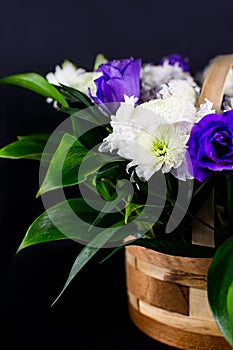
point(213, 86)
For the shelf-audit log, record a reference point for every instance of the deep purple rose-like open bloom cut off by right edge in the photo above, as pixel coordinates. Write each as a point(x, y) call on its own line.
point(210, 145)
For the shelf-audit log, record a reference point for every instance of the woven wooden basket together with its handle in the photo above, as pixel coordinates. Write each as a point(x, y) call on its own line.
point(167, 294)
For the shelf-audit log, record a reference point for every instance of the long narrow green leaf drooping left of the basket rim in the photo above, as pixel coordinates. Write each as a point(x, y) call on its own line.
point(88, 252)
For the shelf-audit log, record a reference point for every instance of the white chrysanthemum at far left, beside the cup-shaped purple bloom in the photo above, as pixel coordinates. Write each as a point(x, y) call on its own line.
point(68, 74)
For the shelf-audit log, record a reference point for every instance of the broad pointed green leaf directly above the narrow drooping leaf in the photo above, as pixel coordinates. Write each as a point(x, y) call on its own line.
point(71, 219)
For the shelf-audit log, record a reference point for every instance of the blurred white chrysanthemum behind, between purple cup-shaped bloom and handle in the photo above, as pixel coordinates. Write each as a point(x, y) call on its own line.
point(152, 75)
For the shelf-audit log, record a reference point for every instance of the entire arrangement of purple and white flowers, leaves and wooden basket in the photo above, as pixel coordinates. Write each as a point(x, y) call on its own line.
point(146, 151)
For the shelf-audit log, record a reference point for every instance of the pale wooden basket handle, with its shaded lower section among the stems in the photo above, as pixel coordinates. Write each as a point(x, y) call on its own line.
point(213, 90)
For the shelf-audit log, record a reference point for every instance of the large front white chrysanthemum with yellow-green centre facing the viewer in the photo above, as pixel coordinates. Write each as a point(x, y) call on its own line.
point(149, 141)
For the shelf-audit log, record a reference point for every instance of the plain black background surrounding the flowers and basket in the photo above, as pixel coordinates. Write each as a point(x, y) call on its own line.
point(35, 36)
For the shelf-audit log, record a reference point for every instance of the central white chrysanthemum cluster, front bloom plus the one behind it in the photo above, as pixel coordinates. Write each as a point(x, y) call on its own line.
point(153, 135)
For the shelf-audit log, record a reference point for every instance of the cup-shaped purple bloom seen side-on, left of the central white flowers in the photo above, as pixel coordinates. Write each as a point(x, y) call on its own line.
point(120, 77)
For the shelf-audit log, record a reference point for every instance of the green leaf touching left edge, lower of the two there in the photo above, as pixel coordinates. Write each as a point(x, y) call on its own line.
point(29, 147)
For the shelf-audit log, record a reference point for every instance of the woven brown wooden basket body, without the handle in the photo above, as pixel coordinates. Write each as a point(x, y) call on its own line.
point(167, 310)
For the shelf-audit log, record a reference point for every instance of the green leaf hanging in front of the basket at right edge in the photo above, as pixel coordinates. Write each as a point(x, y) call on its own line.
point(220, 288)
